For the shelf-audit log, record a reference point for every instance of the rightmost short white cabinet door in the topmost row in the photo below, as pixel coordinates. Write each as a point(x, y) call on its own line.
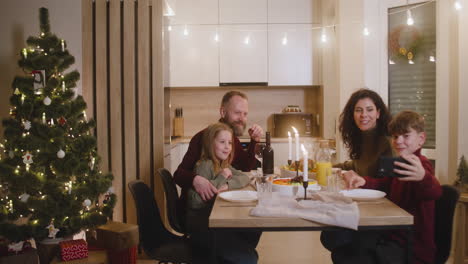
point(291, 11)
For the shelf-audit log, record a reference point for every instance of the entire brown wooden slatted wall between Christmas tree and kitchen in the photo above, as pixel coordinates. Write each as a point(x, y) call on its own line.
point(122, 68)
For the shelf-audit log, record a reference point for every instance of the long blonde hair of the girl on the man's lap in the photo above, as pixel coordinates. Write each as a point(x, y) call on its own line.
point(209, 135)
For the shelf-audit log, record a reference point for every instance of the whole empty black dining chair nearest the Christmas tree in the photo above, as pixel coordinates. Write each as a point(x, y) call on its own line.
point(156, 241)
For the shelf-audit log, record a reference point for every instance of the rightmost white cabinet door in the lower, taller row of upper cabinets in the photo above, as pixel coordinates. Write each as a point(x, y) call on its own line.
point(290, 54)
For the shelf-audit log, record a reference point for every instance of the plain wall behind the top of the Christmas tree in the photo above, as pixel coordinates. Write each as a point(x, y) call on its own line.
point(19, 19)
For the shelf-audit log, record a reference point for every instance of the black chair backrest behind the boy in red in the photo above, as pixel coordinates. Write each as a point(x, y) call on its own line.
point(444, 211)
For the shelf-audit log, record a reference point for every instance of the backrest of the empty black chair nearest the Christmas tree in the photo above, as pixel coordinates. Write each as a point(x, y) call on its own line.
point(152, 231)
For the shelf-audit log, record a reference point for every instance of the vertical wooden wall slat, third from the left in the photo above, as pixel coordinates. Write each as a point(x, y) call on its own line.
point(115, 95)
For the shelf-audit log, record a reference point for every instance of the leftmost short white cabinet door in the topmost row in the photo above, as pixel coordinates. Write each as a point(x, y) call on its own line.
point(193, 11)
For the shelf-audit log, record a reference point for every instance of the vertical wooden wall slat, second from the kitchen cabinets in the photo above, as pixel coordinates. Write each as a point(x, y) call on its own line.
point(144, 114)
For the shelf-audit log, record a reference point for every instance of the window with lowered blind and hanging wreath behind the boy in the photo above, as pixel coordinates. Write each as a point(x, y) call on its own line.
point(412, 63)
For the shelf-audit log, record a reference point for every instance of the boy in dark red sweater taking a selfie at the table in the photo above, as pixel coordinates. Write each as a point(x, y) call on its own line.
point(416, 193)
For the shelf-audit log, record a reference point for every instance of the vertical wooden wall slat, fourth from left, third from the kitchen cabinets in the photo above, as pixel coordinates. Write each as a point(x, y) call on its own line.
point(129, 107)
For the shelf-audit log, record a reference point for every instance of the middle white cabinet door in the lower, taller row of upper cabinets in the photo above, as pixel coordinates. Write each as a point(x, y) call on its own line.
point(243, 53)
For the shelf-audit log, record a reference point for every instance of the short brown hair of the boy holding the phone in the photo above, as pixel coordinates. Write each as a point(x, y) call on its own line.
point(404, 121)
